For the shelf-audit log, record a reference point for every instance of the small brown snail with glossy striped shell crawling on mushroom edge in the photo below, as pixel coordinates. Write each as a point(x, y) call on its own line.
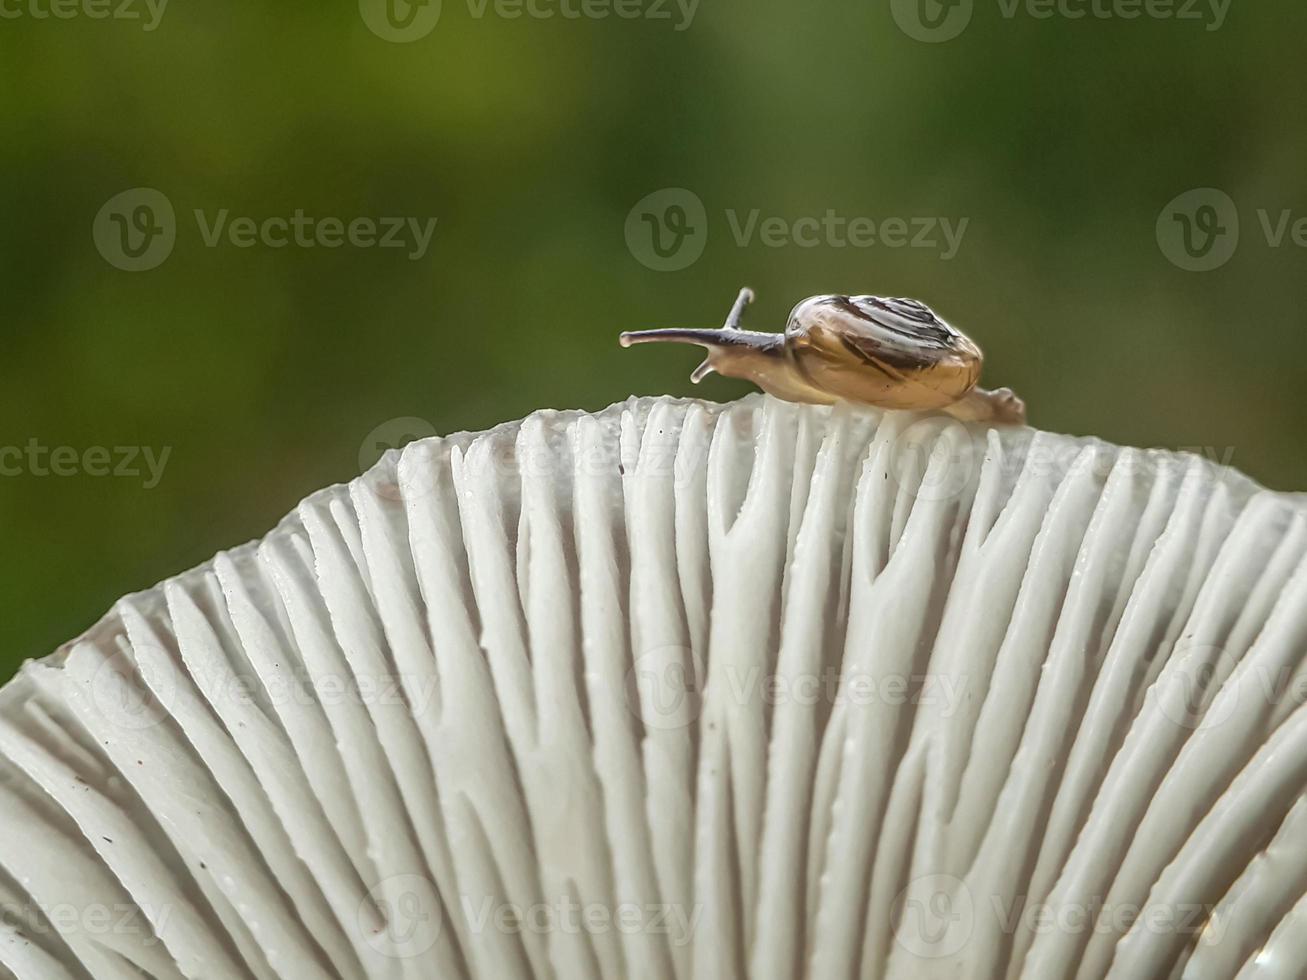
point(874, 351)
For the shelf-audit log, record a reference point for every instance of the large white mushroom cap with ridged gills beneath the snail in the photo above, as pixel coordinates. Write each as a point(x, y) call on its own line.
point(689, 691)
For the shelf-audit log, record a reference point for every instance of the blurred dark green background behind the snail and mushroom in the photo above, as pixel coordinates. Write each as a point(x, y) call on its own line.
point(1059, 140)
